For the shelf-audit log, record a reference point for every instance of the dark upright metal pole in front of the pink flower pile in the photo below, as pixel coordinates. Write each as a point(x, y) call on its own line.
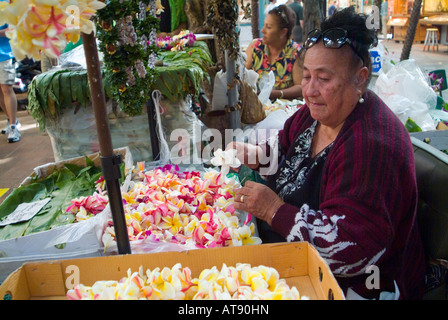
point(109, 162)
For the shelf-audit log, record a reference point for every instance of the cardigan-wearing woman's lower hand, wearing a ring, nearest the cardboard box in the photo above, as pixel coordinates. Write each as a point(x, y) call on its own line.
point(258, 200)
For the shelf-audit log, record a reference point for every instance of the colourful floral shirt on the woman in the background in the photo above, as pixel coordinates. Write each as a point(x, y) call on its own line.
point(282, 67)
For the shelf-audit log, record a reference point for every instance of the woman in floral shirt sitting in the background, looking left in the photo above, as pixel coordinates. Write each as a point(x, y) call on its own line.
point(278, 53)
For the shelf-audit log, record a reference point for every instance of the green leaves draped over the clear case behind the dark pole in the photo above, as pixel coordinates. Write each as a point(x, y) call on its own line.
point(183, 73)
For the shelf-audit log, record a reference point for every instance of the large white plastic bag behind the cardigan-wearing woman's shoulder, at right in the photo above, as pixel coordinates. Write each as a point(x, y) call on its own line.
point(408, 94)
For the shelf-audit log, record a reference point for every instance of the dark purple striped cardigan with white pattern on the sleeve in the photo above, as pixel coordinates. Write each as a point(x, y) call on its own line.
point(368, 199)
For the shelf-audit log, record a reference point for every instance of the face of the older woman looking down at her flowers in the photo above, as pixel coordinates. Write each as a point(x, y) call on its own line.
point(331, 85)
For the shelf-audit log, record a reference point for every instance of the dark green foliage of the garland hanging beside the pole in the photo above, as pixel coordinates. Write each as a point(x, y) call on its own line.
point(118, 57)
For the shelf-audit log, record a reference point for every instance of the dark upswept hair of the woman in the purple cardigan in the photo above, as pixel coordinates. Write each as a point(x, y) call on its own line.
point(362, 37)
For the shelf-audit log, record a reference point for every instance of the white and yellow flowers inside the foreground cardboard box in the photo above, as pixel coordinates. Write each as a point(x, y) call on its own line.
point(240, 282)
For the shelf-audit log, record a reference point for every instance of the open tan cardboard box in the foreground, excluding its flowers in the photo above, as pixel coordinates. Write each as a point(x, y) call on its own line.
point(298, 263)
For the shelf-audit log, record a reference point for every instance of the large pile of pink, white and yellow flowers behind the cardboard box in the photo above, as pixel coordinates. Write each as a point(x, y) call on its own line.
point(183, 208)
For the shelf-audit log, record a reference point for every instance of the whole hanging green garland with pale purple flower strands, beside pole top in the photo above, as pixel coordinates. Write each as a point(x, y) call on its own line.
point(127, 31)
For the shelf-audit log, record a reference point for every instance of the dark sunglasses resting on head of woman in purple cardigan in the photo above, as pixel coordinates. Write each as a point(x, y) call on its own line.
point(333, 38)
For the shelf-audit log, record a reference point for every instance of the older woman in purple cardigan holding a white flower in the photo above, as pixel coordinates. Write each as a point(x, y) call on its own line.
point(346, 181)
